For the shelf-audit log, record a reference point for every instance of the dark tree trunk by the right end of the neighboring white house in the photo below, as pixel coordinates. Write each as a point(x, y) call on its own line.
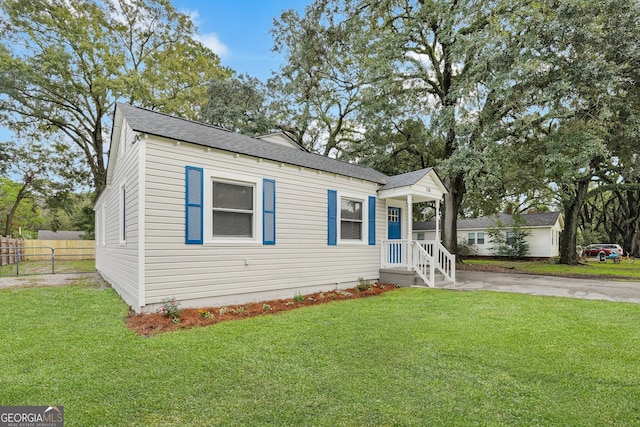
point(572, 208)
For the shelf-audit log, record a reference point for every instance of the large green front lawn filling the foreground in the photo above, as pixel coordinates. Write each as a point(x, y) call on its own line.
point(408, 357)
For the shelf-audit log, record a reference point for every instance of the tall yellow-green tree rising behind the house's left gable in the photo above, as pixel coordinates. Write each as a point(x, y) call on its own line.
point(63, 65)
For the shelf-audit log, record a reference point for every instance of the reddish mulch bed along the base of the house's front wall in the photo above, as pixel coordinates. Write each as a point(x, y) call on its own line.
point(155, 323)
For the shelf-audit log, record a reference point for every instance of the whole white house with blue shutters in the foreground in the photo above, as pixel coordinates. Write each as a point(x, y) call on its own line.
point(213, 217)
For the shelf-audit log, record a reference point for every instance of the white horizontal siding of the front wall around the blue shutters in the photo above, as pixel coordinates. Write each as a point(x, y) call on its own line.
point(225, 273)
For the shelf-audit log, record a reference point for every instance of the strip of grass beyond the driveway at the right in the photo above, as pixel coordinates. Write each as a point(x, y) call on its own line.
point(590, 267)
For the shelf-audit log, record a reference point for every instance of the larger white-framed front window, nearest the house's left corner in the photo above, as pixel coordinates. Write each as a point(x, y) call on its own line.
point(233, 209)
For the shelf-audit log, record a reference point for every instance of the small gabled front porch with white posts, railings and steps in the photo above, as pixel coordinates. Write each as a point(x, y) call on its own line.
point(406, 261)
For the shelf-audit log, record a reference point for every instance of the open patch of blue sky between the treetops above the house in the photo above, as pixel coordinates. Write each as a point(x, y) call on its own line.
point(237, 30)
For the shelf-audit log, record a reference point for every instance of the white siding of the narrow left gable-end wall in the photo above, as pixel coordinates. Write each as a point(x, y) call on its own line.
point(117, 261)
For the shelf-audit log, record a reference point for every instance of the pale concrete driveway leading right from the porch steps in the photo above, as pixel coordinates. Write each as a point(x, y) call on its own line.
point(547, 285)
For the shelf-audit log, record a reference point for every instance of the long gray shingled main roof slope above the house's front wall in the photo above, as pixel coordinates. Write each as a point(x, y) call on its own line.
point(159, 124)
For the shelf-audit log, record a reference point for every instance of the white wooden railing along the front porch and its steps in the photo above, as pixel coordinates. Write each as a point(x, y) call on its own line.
point(423, 257)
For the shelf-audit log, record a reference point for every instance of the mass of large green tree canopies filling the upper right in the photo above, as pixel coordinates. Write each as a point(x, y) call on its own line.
point(507, 99)
